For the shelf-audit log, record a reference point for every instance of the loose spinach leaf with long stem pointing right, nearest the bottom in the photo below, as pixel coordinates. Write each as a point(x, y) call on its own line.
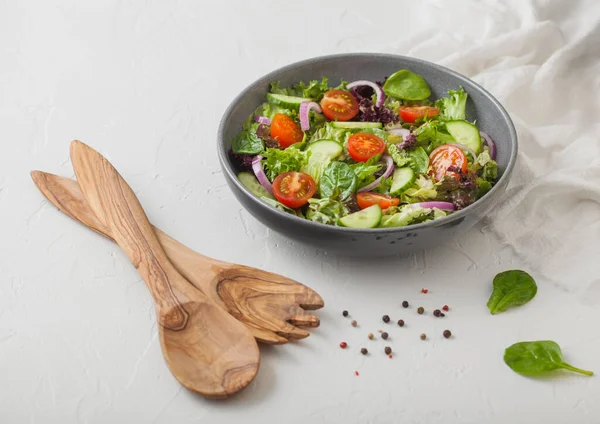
point(537, 357)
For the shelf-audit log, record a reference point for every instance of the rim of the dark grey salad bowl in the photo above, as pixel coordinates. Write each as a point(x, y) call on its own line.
point(296, 220)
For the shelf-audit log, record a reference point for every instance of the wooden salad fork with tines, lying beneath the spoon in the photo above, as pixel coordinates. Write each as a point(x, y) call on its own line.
point(270, 305)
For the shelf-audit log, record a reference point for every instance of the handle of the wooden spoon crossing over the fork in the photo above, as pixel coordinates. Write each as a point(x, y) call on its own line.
point(116, 206)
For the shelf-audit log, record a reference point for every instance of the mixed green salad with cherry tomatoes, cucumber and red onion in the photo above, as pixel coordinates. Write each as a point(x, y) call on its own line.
point(364, 154)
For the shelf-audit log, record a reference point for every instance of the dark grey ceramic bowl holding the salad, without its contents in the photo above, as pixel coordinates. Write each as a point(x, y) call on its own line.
point(482, 106)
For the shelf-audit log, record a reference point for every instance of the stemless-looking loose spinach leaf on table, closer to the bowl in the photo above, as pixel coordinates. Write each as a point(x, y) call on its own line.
point(511, 288)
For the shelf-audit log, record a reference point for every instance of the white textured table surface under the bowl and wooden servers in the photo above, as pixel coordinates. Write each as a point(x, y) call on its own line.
point(146, 82)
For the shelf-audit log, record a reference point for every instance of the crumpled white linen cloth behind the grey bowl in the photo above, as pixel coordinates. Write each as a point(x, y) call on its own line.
point(541, 59)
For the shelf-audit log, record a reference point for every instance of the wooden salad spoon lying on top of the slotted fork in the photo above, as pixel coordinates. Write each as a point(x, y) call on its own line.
point(206, 349)
